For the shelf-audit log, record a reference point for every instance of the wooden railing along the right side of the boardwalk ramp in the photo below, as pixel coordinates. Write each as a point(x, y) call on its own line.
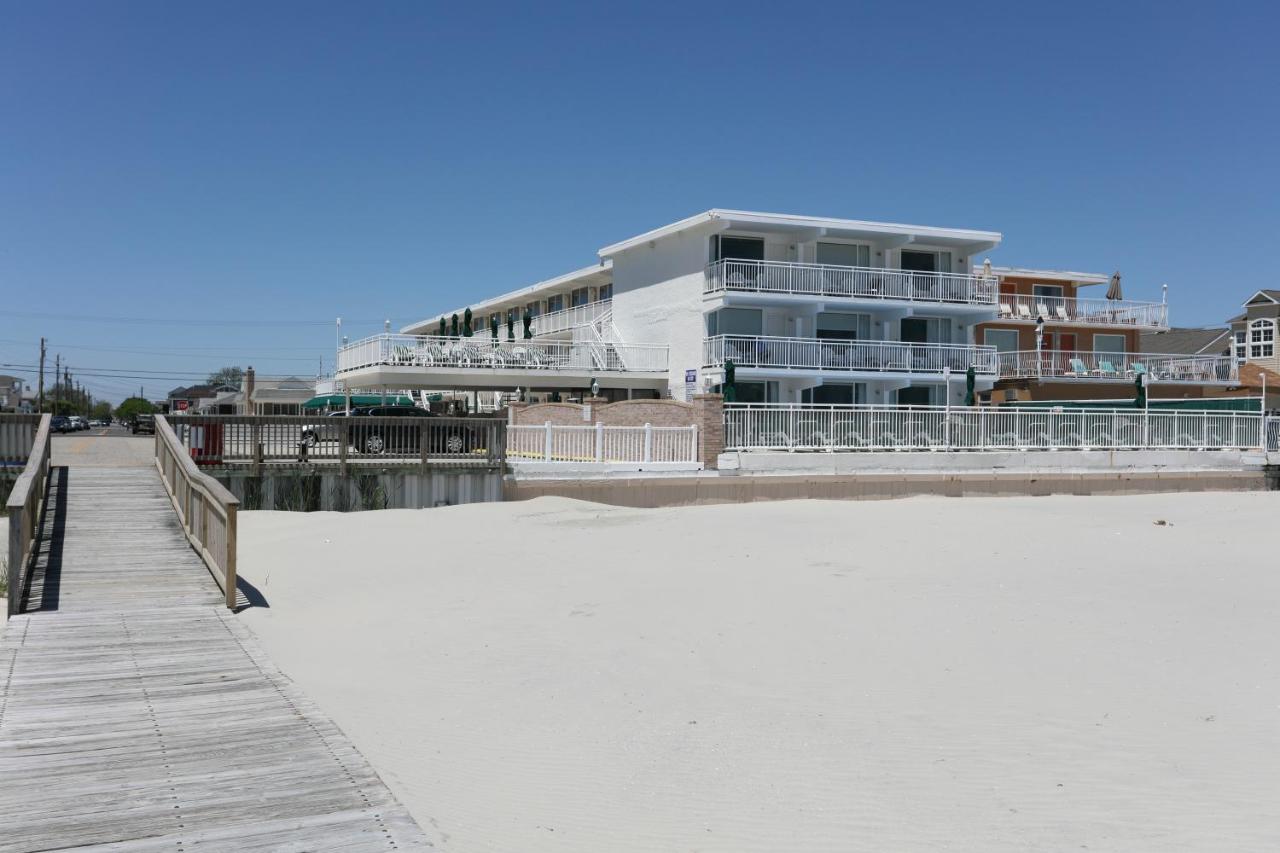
point(207, 510)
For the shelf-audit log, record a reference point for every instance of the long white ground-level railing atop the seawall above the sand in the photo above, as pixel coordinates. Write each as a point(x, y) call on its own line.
point(772, 427)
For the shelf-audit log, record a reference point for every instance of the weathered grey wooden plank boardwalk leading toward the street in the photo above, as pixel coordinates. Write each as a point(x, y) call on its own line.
point(140, 715)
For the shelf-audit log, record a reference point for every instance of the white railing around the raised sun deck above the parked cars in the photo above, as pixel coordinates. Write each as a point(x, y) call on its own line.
point(427, 352)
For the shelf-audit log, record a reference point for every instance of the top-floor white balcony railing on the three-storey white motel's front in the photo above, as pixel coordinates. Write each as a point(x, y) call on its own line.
point(851, 282)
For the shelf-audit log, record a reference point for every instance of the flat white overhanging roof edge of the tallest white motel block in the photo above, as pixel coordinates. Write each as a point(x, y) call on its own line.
point(756, 221)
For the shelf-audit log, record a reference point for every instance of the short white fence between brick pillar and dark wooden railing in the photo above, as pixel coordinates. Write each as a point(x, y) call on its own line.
point(601, 444)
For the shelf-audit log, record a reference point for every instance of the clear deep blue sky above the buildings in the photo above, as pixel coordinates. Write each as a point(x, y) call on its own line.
point(191, 185)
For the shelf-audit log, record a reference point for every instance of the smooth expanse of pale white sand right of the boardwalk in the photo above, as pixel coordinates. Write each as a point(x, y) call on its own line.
point(1012, 674)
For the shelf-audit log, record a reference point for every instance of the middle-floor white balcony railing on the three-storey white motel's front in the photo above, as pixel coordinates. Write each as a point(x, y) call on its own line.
point(881, 357)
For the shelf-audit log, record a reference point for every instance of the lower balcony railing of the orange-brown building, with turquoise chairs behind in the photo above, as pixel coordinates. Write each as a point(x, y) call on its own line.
point(1062, 364)
